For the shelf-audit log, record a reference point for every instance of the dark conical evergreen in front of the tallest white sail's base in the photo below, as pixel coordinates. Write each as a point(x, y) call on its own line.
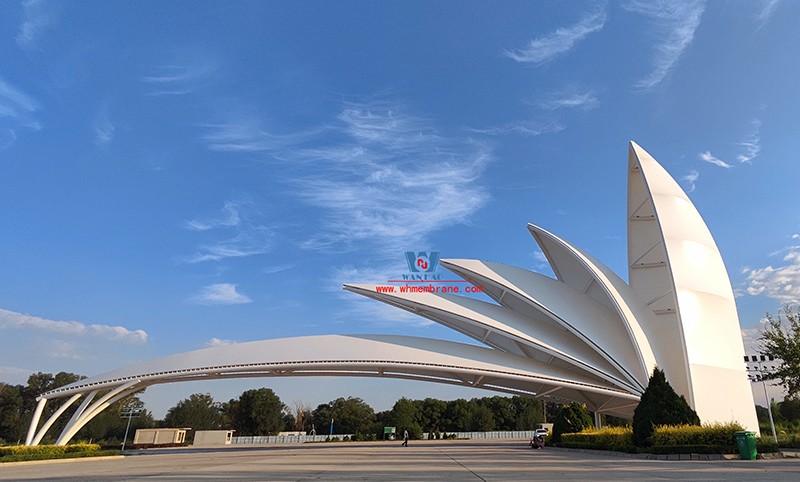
point(660, 405)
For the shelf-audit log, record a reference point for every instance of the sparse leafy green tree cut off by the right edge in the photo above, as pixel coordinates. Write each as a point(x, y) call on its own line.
point(781, 338)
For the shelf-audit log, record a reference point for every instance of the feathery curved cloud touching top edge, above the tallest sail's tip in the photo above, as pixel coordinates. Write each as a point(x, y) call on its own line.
point(675, 22)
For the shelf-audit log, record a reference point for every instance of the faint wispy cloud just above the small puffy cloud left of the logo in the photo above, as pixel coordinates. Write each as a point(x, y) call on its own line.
point(240, 228)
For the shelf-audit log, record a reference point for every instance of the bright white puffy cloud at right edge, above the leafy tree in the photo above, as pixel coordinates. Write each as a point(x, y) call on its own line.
point(781, 283)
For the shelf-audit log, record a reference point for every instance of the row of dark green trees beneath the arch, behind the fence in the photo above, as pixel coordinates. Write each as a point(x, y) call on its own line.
point(260, 412)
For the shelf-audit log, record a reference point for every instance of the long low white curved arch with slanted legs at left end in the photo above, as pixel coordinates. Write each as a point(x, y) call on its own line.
point(389, 356)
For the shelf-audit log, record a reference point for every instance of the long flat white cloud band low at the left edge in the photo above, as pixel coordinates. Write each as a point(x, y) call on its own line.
point(13, 320)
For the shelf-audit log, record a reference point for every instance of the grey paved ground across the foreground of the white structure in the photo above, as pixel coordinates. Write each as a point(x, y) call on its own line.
point(421, 461)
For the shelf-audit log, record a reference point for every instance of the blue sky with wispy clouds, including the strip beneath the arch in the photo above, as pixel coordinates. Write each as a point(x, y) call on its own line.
point(175, 175)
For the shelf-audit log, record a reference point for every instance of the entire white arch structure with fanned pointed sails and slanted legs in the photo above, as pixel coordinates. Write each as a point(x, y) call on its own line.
point(585, 335)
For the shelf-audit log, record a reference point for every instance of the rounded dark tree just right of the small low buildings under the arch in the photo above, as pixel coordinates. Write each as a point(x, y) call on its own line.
point(257, 412)
